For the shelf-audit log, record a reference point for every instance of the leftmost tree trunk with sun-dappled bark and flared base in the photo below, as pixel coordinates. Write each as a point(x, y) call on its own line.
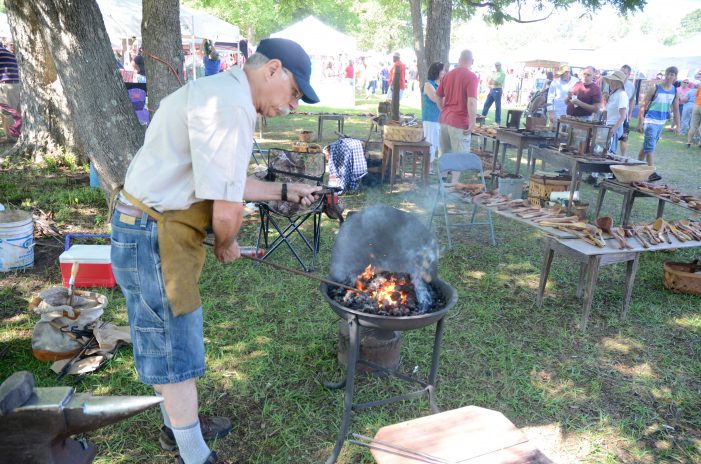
point(47, 124)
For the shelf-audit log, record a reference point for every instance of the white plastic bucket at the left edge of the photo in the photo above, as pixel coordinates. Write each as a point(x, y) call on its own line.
point(16, 240)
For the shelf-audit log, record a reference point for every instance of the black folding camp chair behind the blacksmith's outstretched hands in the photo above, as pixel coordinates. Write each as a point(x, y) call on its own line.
point(285, 218)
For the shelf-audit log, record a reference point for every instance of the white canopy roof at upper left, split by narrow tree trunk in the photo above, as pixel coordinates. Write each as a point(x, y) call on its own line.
point(123, 19)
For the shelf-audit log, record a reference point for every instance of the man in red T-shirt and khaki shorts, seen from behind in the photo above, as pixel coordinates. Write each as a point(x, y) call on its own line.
point(458, 94)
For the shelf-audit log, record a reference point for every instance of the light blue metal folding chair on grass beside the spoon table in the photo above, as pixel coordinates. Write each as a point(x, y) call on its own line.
point(460, 162)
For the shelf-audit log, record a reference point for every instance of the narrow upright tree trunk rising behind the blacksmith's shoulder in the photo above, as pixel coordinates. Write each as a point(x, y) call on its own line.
point(163, 52)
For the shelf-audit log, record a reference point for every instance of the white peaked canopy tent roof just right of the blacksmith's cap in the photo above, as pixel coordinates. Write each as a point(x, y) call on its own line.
point(318, 39)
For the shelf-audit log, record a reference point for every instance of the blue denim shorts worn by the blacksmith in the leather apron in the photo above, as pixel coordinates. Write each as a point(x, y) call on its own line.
point(167, 349)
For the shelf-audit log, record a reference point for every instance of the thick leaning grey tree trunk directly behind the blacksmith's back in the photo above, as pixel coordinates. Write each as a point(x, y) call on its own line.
point(106, 126)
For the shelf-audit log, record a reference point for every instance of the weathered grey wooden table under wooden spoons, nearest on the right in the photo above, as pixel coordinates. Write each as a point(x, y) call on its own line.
point(591, 258)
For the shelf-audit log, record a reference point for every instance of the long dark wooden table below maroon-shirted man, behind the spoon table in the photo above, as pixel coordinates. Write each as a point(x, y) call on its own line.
point(577, 165)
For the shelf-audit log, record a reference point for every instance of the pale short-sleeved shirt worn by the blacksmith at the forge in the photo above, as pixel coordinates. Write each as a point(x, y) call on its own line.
point(197, 146)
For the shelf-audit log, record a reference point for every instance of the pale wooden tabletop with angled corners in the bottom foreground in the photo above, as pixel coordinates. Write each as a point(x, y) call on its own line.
point(470, 434)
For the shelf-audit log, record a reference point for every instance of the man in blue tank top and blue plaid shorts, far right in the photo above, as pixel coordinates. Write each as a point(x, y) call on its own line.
point(656, 110)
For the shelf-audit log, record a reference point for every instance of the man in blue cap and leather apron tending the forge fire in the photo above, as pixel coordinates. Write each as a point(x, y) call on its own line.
point(190, 175)
